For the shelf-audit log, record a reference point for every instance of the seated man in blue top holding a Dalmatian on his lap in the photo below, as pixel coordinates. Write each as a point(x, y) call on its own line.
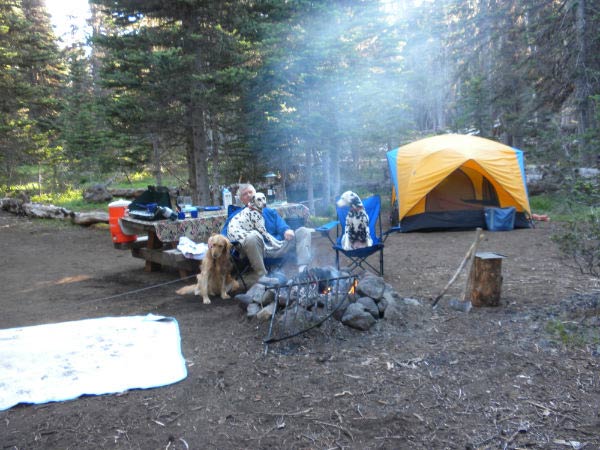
point(253, 246)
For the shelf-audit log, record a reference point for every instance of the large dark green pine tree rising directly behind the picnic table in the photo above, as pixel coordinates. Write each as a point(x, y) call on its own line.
point(172, 71)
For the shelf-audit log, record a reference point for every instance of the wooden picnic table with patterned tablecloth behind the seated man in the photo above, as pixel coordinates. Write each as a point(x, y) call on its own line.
point(157, 240)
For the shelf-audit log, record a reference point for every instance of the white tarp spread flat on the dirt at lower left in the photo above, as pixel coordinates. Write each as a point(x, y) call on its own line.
point(62, 361)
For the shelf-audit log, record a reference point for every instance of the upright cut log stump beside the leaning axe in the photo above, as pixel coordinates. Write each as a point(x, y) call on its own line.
point(485, 279)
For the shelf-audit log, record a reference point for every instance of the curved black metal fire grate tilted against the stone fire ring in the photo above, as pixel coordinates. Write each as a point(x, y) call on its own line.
point(305, 303)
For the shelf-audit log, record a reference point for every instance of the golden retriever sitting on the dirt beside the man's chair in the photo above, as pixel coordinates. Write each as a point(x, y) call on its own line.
point(215, 273)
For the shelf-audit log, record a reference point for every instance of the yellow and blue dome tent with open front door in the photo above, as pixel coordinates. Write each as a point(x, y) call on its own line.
point(447, 181)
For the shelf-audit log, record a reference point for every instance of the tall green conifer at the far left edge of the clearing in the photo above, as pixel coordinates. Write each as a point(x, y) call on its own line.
point(29, 81)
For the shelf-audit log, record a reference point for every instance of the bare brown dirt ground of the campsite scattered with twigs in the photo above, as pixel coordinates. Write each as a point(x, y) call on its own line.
point(521, 375)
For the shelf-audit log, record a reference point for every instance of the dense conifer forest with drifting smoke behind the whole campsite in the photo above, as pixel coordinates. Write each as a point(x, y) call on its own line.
point(216, 92)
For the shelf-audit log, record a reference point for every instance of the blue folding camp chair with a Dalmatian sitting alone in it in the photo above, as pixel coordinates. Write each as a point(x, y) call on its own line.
point(358, 258)
